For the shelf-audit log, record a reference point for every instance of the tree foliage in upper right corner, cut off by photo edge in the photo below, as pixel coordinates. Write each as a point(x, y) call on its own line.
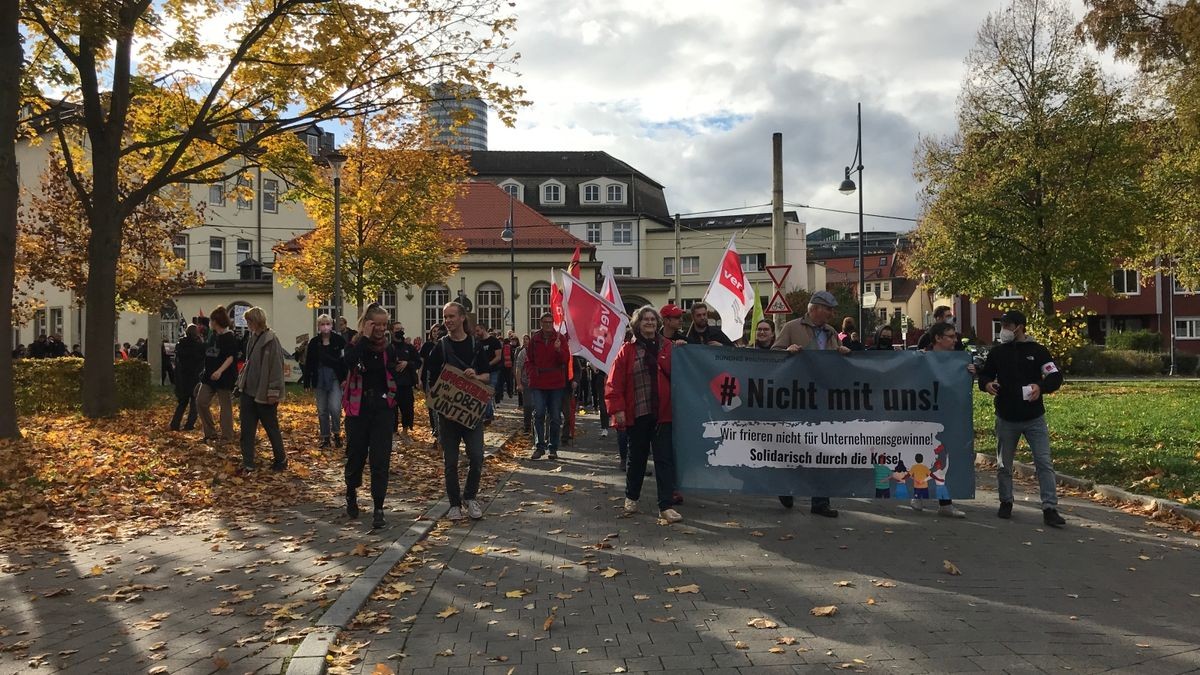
point(1163, 39)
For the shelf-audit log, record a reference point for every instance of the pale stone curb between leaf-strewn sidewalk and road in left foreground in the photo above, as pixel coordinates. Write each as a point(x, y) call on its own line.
point(310, 656)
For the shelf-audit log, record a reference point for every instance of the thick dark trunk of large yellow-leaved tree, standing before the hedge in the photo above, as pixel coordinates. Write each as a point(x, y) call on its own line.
point(99, 386)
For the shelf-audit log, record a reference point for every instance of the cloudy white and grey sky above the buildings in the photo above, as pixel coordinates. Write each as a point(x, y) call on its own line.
point(689, 93)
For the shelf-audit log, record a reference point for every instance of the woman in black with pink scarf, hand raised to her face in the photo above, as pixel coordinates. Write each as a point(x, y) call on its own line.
point(370, 405)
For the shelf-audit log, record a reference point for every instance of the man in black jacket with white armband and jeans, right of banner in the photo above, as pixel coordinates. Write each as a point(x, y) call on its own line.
point(1018, 374)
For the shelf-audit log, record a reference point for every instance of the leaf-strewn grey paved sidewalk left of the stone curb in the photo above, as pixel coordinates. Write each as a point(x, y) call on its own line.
point(230, 595)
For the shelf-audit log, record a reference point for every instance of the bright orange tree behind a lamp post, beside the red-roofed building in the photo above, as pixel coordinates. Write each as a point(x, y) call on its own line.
point(398, 217)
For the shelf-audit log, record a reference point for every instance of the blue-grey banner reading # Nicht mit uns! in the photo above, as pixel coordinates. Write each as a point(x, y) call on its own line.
point(871, 425)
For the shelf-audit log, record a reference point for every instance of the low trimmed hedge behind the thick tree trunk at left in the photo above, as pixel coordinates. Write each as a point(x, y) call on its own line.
point(53, 385)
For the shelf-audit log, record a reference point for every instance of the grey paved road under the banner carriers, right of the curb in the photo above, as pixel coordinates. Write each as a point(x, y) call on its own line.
point(1111, 593)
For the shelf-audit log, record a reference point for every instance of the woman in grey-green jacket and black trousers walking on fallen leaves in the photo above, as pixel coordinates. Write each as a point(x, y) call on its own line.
point(262, 387)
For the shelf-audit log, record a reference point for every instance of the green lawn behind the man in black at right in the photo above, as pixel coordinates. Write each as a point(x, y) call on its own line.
point(1142, 437)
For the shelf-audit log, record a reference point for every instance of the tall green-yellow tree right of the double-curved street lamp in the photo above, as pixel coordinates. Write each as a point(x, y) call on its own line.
point(1039, 190)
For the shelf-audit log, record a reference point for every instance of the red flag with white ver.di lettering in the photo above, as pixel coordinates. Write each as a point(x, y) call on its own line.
point(596, 328)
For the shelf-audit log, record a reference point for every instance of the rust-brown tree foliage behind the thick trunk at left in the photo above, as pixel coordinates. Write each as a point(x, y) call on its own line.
point(53, 234)
